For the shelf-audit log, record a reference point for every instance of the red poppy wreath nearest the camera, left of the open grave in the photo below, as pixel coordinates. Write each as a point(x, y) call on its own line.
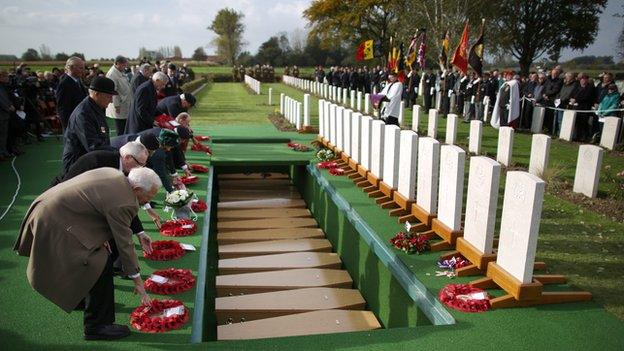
point(152, 318)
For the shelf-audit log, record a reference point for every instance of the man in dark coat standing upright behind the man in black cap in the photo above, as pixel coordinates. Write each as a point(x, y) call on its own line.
point(70, 91)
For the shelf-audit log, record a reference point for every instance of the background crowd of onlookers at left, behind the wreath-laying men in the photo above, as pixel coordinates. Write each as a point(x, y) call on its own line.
point(30, 100)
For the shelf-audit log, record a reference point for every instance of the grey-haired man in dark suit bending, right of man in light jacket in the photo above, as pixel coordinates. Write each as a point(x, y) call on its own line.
point(143, 108)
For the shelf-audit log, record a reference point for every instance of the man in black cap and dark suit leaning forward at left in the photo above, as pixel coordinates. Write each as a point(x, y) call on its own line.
point(87, 129)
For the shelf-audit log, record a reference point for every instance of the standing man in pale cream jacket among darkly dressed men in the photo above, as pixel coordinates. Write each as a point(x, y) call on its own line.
point(119, 108)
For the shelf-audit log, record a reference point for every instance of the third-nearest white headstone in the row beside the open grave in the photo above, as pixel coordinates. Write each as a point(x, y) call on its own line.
point(451, 187)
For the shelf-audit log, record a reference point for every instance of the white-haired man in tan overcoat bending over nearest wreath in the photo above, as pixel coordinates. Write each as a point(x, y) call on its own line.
point(67, 233)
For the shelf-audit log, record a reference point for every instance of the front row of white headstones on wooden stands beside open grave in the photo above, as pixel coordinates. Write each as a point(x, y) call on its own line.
point(432, 175)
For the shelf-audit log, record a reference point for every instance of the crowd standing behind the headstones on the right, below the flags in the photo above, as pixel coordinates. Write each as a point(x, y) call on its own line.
point(466, 94)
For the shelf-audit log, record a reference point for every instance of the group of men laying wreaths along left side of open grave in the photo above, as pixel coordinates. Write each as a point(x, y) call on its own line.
point(90, 211)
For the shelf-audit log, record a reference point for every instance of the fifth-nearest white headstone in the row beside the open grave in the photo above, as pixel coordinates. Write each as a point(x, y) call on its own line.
point(408, 166)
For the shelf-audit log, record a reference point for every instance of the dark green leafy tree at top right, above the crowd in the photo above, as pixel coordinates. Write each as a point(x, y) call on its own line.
point(529, 29)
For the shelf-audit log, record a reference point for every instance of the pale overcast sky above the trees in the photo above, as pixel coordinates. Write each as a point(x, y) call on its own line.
point(108, 28)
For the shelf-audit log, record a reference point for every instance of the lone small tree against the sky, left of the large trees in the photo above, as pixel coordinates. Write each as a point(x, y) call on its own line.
point(229, 28)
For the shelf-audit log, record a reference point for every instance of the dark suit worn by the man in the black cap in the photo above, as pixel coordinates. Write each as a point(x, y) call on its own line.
point(87, 131)
